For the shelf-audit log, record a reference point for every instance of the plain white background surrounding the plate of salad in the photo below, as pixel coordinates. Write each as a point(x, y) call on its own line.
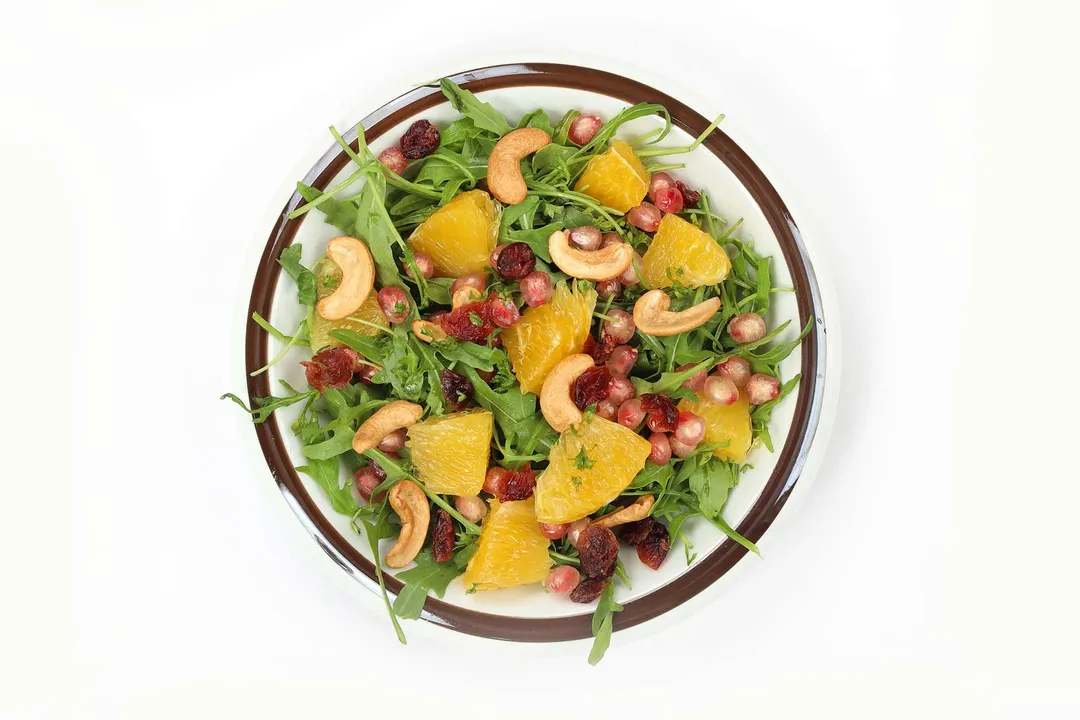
point(927, 150)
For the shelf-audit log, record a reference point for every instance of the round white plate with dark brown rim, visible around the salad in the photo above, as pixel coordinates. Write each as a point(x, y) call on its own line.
point(738, 187)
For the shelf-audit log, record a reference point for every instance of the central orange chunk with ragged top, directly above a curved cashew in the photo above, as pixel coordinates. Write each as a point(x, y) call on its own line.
point(548, 334)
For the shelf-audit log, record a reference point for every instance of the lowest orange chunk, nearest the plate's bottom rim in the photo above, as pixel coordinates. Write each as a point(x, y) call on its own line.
point(511, 550)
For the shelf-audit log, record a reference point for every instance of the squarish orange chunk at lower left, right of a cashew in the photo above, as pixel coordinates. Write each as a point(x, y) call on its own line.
point(450, 454)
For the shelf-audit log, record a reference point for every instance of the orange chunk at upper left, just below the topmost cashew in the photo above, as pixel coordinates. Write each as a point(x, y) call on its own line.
point(460, 236)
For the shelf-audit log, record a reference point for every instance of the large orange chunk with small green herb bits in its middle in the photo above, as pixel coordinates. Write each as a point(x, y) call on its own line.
point(576, 484)
